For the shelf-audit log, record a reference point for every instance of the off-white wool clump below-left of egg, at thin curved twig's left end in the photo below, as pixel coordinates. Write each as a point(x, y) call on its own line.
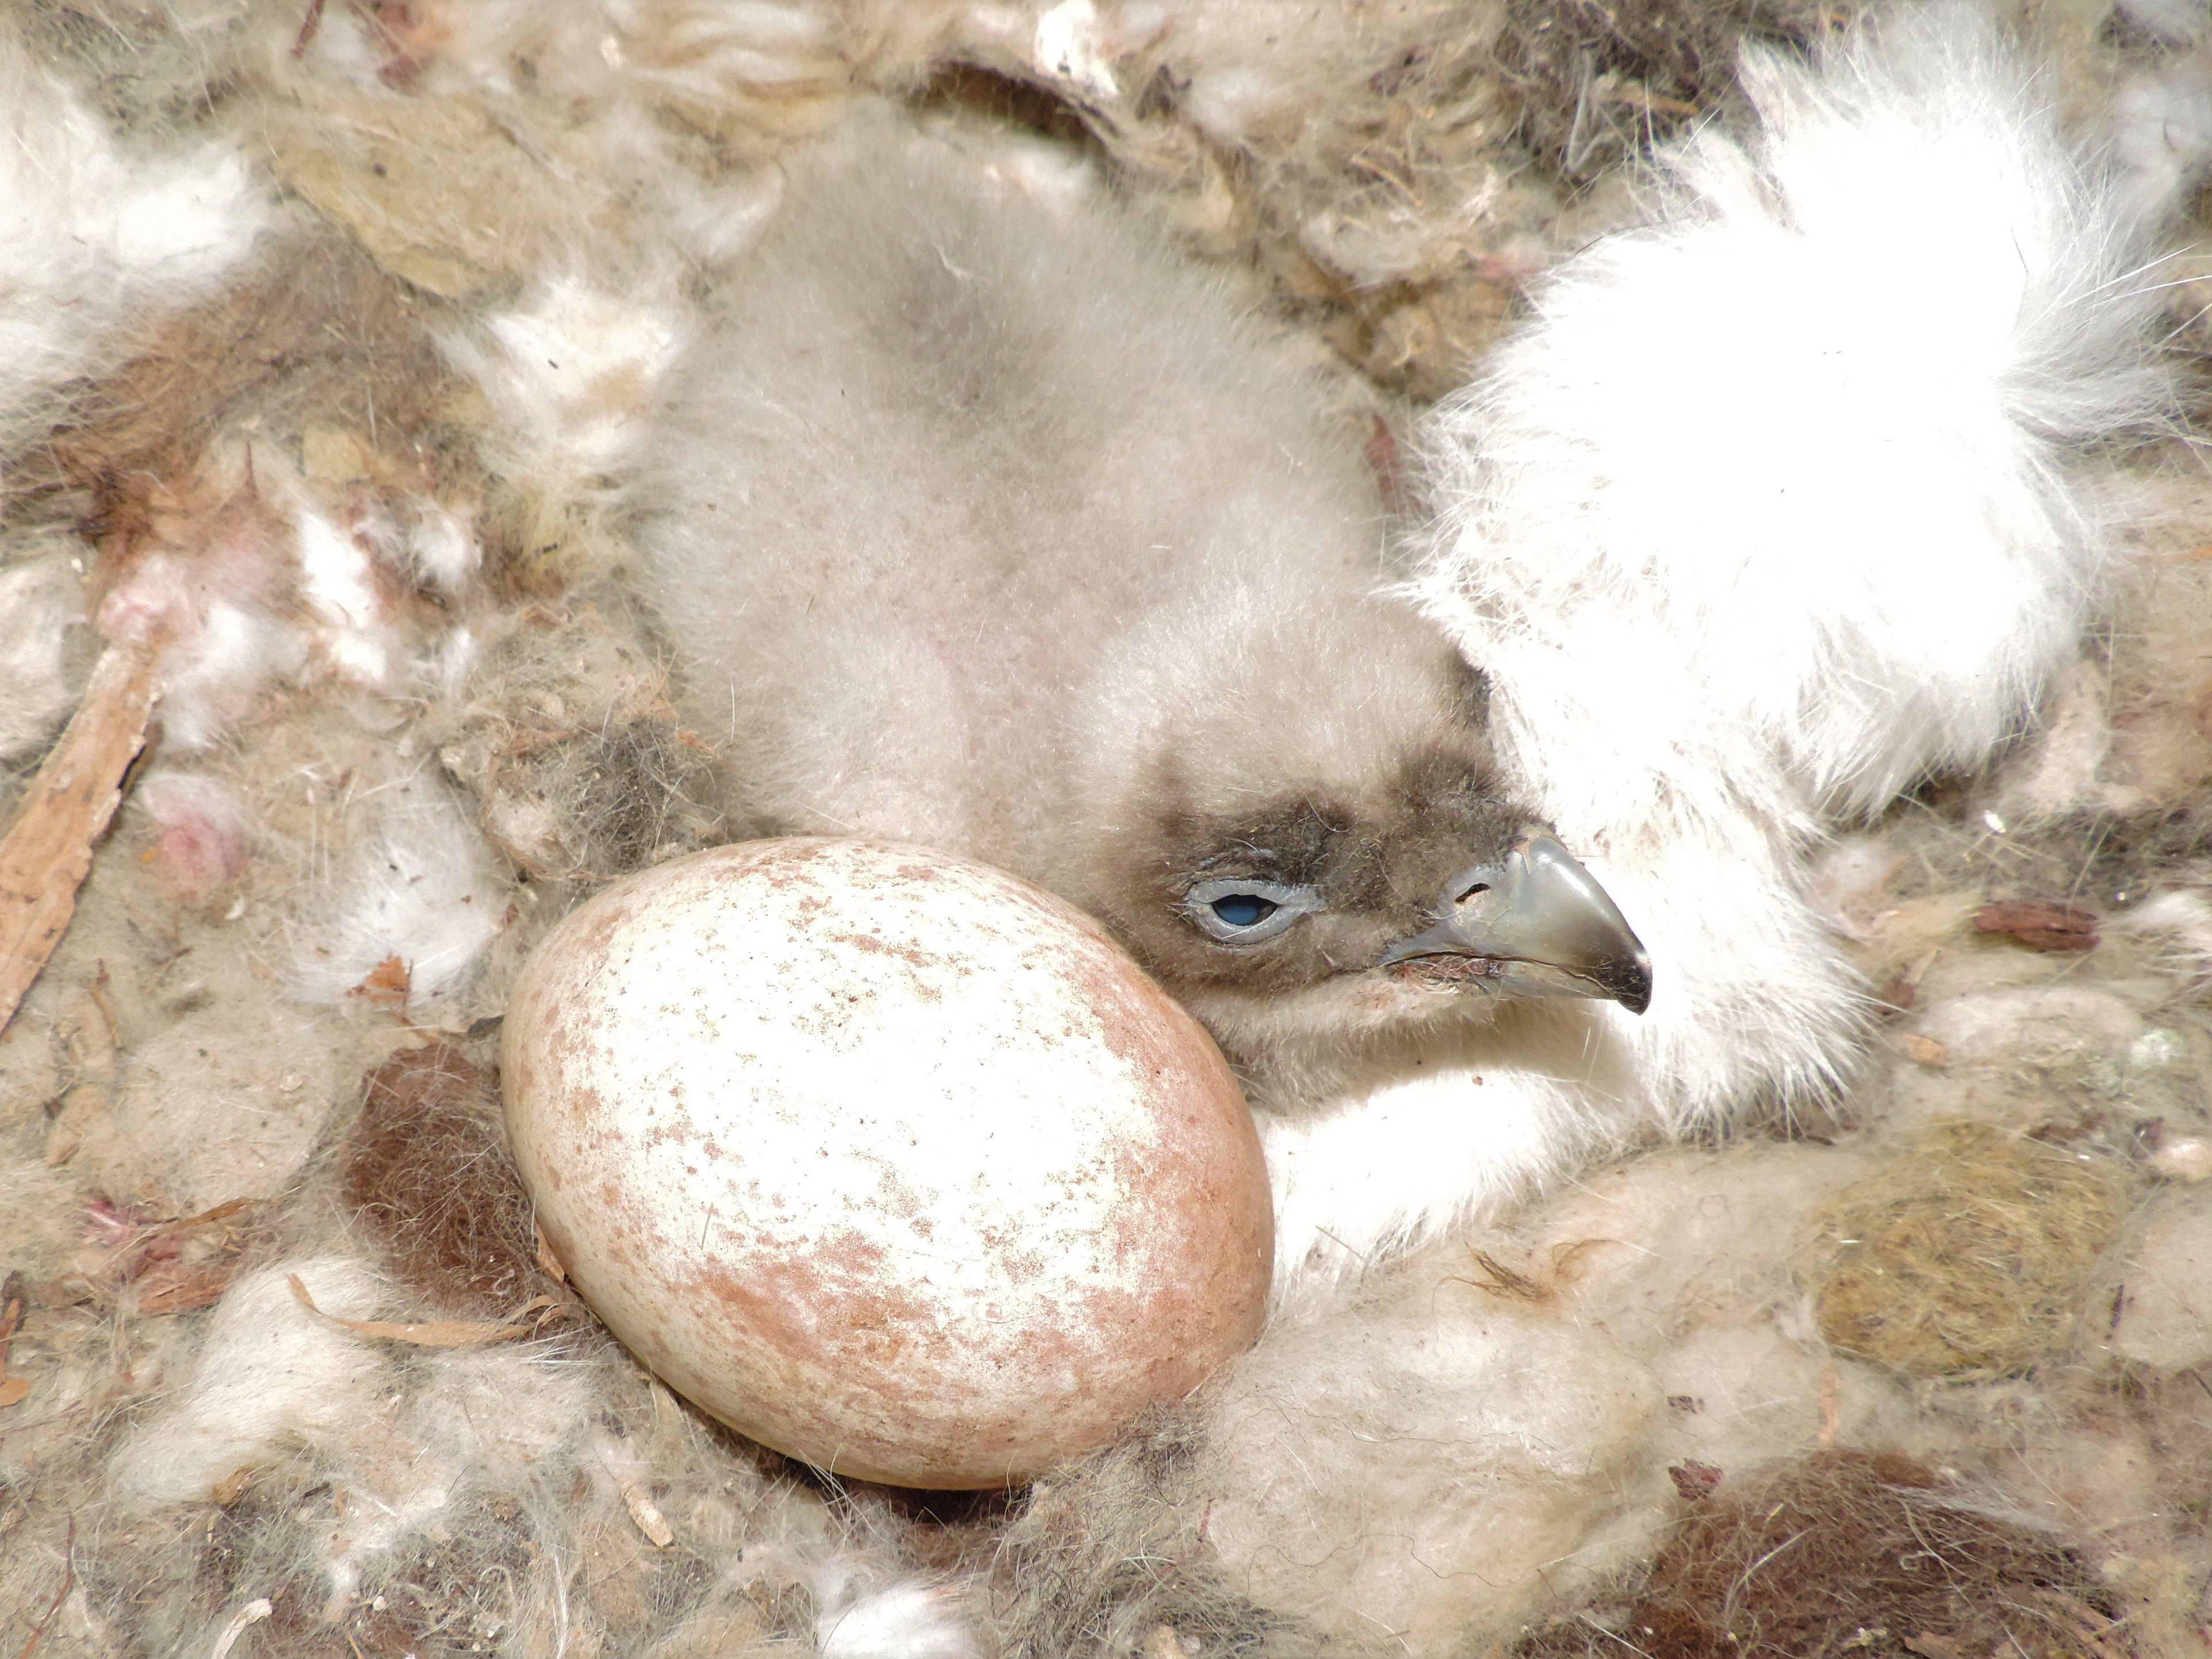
point(271, 1379)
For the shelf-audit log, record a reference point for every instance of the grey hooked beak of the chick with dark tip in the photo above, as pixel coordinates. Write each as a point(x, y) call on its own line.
point(1541, 926)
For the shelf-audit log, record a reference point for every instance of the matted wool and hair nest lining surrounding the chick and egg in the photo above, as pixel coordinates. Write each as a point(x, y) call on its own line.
point(282, 1364)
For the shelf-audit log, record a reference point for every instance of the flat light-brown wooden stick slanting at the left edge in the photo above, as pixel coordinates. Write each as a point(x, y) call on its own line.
point(50, 848)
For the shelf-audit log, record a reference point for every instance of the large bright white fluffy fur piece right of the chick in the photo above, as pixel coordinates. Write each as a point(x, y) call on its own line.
point(1766, 514)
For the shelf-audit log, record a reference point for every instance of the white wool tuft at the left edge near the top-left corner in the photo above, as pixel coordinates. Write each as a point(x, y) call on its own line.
point(94, 238)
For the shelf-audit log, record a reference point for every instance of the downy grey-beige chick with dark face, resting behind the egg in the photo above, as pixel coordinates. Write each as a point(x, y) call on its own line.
point(985, 523)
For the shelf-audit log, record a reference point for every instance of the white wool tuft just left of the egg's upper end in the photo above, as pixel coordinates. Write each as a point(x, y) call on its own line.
point(419, 888)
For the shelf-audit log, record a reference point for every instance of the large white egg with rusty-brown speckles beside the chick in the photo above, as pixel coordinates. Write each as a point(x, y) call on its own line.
point(886, 1158)
